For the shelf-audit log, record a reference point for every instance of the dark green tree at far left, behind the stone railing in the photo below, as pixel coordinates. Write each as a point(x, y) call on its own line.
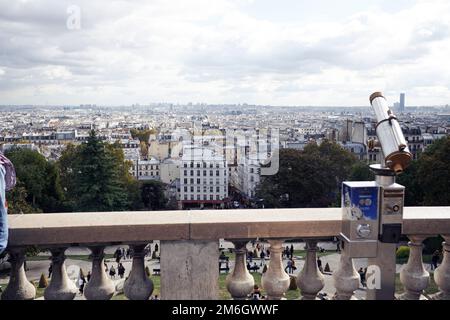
point(39, 182)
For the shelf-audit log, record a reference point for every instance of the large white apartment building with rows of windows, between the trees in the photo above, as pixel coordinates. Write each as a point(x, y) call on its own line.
point(203, 178)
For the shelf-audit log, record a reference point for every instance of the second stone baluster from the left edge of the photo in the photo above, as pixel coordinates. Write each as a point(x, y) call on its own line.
point(60, 287)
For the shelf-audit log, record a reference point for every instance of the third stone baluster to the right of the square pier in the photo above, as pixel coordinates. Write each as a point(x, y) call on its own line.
point(310, 280)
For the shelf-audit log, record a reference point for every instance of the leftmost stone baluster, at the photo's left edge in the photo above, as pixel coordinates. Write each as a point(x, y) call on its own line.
point(18, 288)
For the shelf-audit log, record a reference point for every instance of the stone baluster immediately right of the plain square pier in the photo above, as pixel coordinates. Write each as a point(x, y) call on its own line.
point(240, 282)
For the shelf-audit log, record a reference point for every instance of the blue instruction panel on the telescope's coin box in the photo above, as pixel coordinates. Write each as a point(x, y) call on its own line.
point(360, 199)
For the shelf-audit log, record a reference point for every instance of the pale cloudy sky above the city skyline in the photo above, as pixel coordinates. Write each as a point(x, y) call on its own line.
point(284, 52)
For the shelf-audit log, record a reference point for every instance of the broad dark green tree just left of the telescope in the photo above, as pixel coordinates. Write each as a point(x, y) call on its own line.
point(308, 178)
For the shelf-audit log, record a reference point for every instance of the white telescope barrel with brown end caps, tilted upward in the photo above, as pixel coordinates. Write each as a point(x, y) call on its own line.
point(390, 135)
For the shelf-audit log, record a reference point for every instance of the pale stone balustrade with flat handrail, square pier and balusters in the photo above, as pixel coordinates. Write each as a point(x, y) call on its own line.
point(190, 251)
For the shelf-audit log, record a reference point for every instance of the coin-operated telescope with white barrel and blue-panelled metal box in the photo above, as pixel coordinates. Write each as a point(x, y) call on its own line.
point(372, 211)
